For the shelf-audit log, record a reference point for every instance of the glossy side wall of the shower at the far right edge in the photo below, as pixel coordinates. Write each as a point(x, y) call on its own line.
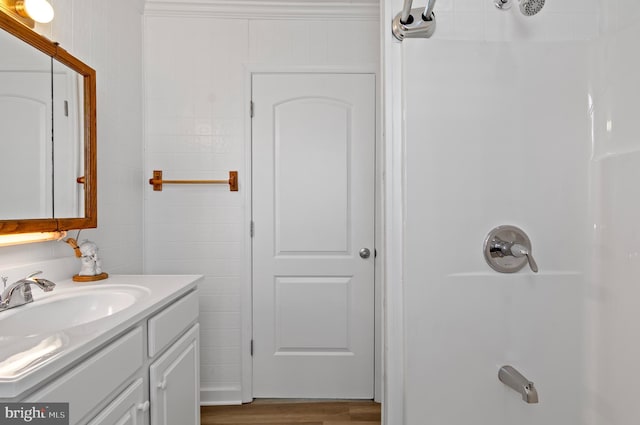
point(614, 295)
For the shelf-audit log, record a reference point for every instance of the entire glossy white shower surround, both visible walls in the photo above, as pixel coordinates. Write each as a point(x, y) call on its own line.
point(525, 121)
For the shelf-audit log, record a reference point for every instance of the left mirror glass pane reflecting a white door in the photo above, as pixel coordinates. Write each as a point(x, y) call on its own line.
point(26, 120)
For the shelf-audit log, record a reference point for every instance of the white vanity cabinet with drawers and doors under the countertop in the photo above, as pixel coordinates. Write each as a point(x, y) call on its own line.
point(148, 374)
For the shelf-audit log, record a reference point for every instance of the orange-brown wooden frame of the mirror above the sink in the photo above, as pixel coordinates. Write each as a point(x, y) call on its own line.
point(52, 49)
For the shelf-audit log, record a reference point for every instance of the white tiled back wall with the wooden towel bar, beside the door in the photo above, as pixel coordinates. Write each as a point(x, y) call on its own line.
point(196, 69)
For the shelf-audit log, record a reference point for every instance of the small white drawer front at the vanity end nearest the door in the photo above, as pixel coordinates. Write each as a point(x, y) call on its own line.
point(170, 323)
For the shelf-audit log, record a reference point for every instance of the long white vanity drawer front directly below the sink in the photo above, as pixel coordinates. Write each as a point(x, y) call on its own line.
point(90, 383)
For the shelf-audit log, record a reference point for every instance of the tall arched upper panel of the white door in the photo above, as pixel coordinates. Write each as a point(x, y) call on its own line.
point(311, 138)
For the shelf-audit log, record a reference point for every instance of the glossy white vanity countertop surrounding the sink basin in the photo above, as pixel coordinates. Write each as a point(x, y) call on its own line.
point(79, 341)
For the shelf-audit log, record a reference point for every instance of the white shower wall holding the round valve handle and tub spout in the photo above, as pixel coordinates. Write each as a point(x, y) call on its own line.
point(496, 131)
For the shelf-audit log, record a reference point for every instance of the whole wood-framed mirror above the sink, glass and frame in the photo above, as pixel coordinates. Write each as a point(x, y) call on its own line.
point(48, 137)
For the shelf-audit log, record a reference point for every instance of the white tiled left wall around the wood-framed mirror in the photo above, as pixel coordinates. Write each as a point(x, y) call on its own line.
point(108, 37)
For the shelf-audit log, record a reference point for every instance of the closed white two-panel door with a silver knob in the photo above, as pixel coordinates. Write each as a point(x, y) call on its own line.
point(313, 142)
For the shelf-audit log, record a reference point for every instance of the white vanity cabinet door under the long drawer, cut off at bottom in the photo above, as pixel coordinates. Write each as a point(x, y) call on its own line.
point(129, 408)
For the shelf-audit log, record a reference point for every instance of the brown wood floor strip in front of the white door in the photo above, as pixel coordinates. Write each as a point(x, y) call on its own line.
point(293, 412)
